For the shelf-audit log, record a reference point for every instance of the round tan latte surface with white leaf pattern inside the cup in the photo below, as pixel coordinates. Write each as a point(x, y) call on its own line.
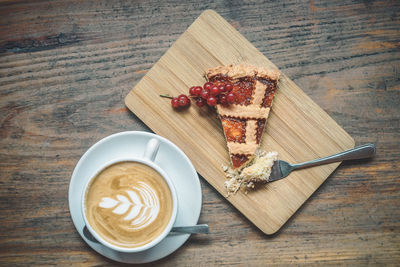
point(128, 204)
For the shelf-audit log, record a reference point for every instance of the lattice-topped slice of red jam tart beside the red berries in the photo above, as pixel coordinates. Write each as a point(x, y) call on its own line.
point(243, 122)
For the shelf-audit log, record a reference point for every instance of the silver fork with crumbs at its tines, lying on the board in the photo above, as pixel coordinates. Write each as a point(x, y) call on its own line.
point(281, 168)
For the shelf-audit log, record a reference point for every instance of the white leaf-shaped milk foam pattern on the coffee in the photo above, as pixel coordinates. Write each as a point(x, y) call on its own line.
point(143, 205)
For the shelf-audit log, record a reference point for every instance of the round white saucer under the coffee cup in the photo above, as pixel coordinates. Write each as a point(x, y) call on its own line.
point(170, 158)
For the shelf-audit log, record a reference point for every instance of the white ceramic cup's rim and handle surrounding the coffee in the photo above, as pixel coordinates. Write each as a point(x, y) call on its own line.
point(147, 158)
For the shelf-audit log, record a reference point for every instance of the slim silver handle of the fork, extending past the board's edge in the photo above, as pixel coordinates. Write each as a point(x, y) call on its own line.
point(360, 152)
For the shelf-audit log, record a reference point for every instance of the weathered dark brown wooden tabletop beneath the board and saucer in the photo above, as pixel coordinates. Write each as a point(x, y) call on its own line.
point(66, 66)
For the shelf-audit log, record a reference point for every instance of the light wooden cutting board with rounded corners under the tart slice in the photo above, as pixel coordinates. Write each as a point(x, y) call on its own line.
point(297, 128)
